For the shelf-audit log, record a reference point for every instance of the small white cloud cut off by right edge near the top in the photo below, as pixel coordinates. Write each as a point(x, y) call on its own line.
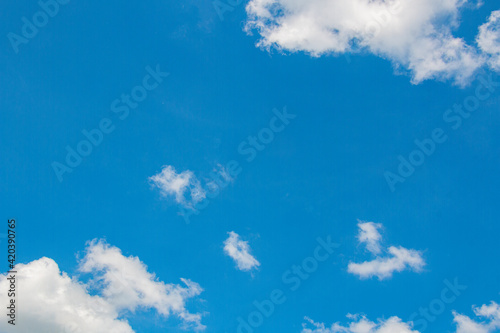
point(489, 39)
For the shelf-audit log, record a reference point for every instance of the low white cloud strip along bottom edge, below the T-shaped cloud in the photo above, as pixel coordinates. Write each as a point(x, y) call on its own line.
point(360, 324)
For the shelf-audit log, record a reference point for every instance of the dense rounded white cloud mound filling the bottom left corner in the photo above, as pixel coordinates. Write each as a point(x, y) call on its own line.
point(51, 301)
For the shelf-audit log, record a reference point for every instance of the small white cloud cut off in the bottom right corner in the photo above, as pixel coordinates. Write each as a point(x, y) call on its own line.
point(489, 312)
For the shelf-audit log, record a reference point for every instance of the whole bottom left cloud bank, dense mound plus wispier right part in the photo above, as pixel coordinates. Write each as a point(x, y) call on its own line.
point(51, 301)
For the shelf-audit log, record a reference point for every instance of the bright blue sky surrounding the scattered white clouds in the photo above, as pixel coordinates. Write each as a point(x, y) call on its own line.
point(325, 171)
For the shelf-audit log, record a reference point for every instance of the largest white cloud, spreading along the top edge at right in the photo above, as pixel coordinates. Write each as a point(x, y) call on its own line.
point(416, 35)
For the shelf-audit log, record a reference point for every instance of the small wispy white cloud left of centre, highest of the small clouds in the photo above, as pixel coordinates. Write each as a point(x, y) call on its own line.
point(184, 186)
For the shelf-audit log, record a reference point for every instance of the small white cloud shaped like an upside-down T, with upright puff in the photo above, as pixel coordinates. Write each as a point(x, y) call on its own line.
point(383, 267)
